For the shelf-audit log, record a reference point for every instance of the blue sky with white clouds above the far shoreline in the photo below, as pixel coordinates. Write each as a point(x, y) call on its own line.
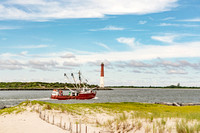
point(141, 42)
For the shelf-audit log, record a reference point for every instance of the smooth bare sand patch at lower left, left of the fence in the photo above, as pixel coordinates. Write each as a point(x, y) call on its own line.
point(26, 122)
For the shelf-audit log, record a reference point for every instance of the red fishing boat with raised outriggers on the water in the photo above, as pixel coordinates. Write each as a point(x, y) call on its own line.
point(81, 91)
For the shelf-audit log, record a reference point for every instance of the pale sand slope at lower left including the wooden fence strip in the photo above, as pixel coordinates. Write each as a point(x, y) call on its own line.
point(36, 120)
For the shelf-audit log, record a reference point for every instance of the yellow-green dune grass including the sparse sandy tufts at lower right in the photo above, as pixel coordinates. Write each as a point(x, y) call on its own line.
point(129, 116)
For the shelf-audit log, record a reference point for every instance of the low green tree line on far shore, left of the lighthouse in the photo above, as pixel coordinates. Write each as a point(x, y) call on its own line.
point(36, 85)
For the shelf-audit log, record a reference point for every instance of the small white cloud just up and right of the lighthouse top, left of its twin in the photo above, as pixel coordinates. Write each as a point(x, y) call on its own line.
point(131, 42)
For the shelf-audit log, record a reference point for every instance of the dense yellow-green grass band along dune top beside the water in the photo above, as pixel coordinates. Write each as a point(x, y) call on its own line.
point(140, 110)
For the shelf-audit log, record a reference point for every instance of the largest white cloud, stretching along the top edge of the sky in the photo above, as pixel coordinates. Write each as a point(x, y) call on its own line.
point(42, 10)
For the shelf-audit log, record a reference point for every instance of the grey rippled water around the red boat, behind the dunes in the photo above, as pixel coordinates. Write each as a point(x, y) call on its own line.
point(116, 95)
